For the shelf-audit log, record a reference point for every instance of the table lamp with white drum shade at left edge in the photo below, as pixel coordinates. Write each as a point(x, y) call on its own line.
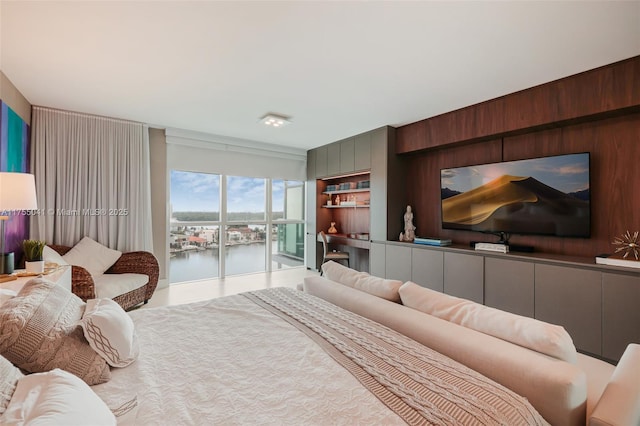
point(17, 193)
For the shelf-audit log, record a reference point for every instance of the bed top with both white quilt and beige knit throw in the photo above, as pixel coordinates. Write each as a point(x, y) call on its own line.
point(281, 356)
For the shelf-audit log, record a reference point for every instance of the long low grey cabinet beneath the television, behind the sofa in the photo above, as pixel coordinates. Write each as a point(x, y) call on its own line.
point(596, 304)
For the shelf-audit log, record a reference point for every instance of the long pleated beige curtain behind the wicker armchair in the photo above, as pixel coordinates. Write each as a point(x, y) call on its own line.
point(92, 179)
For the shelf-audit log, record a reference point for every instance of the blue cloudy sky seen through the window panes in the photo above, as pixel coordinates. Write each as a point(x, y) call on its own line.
point(191, 191)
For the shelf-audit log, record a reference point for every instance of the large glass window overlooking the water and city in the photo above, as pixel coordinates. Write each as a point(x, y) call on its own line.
point(258, 235)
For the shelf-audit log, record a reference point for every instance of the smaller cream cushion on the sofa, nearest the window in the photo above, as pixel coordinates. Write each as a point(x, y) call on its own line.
point(386, 289)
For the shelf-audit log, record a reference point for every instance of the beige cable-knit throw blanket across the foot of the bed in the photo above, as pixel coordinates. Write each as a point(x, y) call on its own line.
point(420, 385)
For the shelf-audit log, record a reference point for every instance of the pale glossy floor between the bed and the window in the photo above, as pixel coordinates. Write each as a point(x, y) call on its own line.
point(177, 294)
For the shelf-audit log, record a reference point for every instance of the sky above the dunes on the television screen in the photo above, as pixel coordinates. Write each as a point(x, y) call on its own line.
point(567, 173)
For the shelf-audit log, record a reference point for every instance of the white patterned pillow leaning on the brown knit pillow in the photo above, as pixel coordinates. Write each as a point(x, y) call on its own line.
point(110, 332)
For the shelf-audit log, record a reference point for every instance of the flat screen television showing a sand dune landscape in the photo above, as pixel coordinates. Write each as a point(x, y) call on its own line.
point(541, 196)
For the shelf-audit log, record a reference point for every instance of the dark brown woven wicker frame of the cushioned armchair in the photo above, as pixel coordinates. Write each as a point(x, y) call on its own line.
point(137, 262)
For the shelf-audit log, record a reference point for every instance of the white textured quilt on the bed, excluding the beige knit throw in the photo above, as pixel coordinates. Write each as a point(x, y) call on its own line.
point(223, 361)
